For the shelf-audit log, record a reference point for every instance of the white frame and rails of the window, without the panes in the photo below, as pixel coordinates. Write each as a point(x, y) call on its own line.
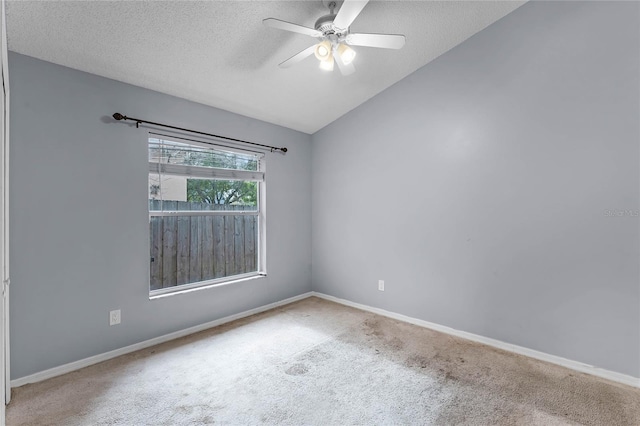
point(258, 176)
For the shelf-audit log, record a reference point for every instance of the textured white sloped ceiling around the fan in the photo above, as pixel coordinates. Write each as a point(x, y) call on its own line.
point(219, 53)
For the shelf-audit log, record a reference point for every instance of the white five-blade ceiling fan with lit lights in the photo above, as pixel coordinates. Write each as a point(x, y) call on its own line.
point(335, 37)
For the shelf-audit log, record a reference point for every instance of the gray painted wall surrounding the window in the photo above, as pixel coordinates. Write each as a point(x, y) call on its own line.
point(79, 221)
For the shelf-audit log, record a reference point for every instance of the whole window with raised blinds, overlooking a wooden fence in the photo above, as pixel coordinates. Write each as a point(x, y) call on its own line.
point(205, 215)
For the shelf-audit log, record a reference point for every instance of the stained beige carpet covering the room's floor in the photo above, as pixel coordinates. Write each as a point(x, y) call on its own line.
point(318, 363)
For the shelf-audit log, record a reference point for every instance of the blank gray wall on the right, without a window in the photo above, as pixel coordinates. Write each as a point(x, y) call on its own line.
point(477, 187)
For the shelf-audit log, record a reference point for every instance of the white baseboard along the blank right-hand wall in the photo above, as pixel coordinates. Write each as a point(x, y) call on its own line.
point(574, 365)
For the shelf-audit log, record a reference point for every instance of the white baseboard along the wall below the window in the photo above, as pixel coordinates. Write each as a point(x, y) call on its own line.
point(76, 365)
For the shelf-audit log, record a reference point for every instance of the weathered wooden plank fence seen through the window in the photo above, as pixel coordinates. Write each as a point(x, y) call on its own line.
point(188, 249)
